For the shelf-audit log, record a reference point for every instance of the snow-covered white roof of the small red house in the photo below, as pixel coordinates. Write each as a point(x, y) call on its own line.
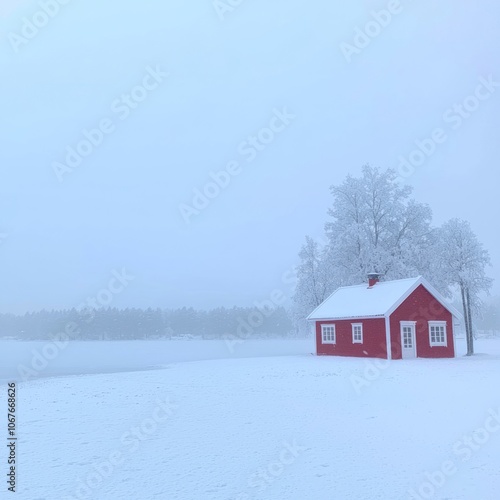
point(360, 301)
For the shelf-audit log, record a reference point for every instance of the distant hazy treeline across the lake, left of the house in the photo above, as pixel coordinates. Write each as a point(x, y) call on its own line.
point(131, 323)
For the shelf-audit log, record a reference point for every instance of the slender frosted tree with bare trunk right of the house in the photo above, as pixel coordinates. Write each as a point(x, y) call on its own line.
point(463, 262)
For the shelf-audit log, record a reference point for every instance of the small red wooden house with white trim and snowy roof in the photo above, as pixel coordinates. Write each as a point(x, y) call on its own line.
point(386, 319)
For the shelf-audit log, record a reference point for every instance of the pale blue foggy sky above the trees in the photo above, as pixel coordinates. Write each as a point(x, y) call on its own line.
point(274, 65)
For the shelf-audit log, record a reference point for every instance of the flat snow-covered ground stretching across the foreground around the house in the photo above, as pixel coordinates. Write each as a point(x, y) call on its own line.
point(280, 425)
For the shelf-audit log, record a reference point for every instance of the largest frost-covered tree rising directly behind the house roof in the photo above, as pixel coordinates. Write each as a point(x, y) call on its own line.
point(377, 226)
